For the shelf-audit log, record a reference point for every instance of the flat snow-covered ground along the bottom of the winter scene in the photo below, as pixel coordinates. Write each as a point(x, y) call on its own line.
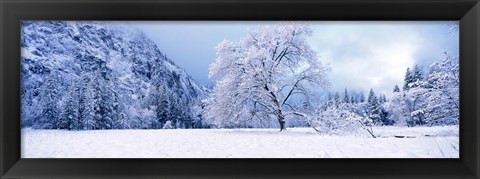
point(417, 142)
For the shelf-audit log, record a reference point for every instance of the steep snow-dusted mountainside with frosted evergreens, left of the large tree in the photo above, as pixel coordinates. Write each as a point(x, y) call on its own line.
point(98, 75)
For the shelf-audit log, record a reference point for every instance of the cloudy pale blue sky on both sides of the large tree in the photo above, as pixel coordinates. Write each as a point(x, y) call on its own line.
point(362, 55)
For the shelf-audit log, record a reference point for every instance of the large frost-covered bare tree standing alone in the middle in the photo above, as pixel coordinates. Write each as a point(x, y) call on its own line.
point(259, 75)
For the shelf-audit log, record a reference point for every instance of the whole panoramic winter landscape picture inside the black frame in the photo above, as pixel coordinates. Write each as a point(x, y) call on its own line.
point(260, 90)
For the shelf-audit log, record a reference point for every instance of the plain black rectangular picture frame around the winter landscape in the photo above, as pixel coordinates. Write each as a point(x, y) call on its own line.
point(13, 11)
